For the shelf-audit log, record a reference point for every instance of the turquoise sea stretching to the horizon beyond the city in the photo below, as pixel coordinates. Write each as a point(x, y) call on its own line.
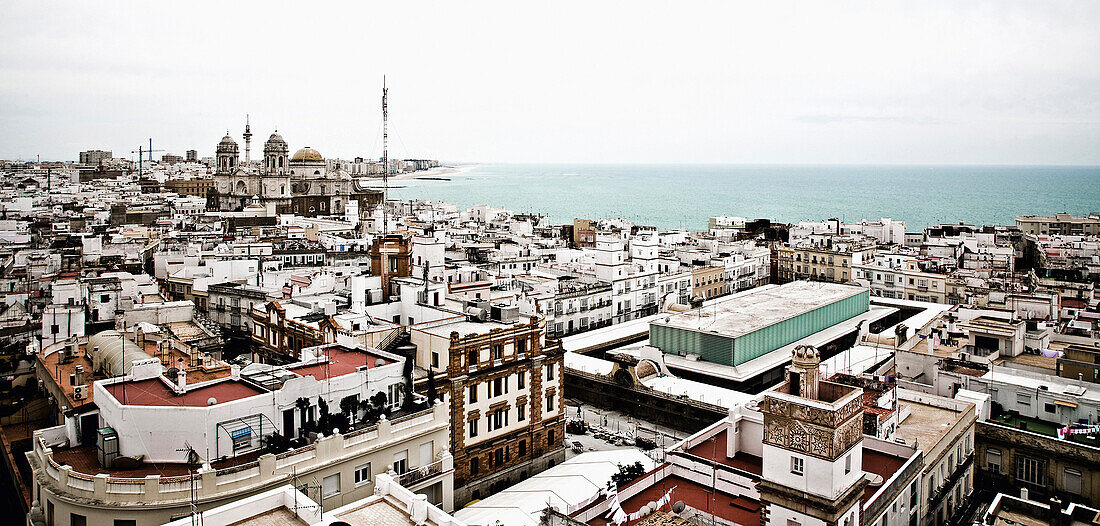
point(685, 196)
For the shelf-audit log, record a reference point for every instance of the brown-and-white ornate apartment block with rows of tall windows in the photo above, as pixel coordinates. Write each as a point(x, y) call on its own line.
point(507, 399)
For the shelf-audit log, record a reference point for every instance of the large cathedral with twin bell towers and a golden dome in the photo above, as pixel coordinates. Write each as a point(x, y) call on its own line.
point(301, 184)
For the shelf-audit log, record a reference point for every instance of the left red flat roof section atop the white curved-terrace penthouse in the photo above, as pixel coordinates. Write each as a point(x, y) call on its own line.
point(157, 393)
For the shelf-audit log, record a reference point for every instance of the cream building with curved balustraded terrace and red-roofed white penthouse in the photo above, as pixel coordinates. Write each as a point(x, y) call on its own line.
point(159, 448)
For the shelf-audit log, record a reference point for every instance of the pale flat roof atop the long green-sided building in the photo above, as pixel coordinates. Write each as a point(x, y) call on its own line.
point(742, 315)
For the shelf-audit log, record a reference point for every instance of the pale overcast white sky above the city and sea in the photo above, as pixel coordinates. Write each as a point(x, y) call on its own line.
point(992, 83)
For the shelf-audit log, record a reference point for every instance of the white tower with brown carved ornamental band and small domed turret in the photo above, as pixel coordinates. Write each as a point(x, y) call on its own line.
point(812, 450)
